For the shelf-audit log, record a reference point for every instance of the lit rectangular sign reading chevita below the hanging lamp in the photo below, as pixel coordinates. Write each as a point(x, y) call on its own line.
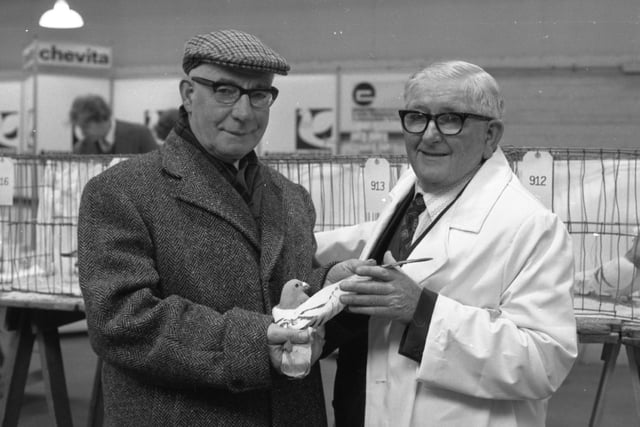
point(67, 55)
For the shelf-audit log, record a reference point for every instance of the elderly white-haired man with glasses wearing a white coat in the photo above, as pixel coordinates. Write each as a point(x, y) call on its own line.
point(484, 332)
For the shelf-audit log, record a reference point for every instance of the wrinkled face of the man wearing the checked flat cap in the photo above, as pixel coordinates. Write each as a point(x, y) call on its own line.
point(228, 132)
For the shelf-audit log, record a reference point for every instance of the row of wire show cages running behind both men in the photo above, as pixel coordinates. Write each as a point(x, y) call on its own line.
point(595, 192)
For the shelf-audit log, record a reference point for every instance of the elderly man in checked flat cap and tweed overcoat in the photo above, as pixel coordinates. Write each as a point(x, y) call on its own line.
point(183, 252)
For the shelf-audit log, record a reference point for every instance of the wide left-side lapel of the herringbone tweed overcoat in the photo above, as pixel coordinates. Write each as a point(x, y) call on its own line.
point(196, 181)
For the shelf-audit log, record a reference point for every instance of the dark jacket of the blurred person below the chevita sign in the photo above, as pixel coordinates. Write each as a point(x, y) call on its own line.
point(129, 138)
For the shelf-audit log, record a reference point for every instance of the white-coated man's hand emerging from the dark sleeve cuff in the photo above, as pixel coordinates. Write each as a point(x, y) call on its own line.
point(388, 293)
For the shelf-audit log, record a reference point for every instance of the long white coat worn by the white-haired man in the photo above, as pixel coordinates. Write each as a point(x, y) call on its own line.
point(503, 335)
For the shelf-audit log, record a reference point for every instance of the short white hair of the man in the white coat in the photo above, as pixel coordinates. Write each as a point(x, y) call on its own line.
point(480, 88)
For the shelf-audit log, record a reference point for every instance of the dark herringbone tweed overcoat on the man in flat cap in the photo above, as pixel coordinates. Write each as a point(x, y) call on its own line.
point(179, 284)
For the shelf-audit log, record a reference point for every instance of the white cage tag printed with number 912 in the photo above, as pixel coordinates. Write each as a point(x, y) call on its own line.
point(536, 173)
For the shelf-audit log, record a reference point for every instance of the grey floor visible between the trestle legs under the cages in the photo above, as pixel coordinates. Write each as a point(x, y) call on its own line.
point(569, 407)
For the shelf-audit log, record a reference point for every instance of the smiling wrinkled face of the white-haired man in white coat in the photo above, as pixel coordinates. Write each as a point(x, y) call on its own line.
point(438, 160)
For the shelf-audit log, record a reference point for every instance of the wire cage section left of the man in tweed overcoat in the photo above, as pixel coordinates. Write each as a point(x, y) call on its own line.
point(38, 231)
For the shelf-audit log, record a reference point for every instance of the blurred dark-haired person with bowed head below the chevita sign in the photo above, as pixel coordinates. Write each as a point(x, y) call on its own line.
point(98, 132)
